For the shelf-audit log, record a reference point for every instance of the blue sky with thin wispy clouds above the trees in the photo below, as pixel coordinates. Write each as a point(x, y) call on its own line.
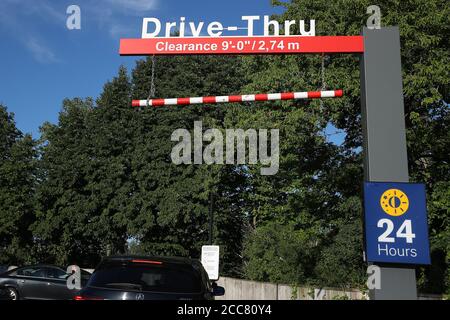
point(42, 62)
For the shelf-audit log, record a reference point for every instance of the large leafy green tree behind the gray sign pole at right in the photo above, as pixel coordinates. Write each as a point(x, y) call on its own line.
point(324, 195)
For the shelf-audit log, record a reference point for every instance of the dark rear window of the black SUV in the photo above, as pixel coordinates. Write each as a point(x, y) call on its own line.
point(174, 279)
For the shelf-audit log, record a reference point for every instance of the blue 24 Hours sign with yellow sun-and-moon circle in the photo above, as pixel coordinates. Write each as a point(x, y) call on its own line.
point(396, 229)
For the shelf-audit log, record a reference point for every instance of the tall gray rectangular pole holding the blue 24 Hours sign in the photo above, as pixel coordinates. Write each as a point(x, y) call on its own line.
point(385, 157)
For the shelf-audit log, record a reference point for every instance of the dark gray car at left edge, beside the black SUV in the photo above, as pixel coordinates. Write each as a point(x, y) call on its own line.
point(42, 282)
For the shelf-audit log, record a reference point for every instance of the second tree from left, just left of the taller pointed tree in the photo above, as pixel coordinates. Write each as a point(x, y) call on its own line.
point(63, 228)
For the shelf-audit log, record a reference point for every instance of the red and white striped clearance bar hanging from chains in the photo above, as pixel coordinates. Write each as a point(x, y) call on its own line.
point(240, 98)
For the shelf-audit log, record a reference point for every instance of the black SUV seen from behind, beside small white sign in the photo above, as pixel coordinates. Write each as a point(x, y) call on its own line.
point(149, 278)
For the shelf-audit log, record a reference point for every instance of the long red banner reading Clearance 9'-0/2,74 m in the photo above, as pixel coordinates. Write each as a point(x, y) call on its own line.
point(242, 45)
